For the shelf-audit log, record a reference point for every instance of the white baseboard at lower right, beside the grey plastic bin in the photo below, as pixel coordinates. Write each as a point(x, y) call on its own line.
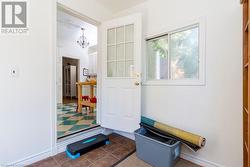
point(199, 161)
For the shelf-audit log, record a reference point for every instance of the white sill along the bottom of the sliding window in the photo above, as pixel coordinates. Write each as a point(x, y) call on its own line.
point(174, 83)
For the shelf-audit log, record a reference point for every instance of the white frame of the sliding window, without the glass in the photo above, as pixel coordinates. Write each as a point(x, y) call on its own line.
point(182, 82)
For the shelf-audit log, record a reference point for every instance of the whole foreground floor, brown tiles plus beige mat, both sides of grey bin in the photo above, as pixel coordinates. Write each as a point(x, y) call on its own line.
point(105, 156)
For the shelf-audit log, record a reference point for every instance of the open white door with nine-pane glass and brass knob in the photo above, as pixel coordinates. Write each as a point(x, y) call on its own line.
point(121, 77)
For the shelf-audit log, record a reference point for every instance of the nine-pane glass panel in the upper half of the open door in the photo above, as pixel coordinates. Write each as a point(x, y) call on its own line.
point(120, 51)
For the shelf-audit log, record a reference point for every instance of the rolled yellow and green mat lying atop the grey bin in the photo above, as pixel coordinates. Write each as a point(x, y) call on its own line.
point(186, 136)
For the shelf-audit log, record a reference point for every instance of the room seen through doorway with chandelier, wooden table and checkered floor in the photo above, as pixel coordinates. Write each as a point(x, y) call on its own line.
point(76, 74)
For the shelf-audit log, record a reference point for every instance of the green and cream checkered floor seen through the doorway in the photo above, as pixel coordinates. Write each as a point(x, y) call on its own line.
point(69, 121)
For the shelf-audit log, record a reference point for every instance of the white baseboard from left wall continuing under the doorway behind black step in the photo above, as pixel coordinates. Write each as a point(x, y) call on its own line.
point(61, 147)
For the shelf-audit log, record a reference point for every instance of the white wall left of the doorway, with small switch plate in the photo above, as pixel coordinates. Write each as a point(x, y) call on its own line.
point(25, 124)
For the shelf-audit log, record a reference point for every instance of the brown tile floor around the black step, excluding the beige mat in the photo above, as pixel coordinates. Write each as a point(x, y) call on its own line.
point(105, 156)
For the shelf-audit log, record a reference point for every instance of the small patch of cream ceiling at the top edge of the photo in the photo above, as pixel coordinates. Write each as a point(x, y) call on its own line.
point(116, 5)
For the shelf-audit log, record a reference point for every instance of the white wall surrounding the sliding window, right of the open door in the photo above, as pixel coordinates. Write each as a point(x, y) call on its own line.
point(214, 110)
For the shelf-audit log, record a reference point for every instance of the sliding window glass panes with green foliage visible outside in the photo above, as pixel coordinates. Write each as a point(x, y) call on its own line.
point(174, 56)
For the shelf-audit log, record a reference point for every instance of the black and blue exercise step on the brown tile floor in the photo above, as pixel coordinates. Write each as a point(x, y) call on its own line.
point(75, 150)
